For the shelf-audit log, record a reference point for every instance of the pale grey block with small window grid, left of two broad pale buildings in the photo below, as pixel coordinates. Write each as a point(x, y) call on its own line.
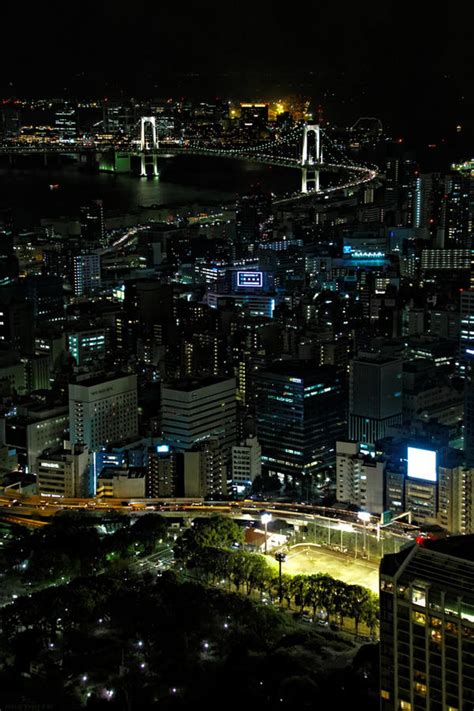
point(103, 410)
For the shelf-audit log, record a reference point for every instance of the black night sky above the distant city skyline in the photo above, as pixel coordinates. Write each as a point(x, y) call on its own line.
point(410, 63)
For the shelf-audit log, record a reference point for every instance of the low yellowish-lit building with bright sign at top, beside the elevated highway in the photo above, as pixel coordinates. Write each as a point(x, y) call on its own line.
point(64, 472)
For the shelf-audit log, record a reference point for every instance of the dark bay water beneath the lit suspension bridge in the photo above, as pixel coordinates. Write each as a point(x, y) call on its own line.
point(183, 180)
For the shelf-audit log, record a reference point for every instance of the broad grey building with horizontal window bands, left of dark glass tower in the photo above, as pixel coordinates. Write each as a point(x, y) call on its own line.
point(195, 410)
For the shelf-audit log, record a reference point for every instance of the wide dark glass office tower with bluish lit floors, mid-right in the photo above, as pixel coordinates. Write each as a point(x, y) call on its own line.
point(300, 414)
